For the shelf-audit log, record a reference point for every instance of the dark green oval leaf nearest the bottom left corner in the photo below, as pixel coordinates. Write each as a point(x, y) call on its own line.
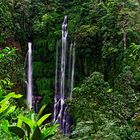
point(17, 131)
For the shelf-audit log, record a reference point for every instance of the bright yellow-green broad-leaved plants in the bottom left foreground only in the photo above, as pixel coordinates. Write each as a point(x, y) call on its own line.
point(25, 128)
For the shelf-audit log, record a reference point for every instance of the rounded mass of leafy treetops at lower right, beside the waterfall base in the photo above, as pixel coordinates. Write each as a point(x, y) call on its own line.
point(104, 112)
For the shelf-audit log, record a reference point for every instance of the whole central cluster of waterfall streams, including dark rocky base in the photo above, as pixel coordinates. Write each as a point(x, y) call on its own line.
point(64, 81)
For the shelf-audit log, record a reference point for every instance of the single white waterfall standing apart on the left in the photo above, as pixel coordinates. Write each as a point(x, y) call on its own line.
point(29, 77)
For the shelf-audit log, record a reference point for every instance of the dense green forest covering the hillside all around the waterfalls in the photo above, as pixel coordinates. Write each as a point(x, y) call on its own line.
point(106, 97)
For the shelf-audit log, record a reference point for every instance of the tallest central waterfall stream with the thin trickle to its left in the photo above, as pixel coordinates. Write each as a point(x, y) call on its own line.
point(61, 95)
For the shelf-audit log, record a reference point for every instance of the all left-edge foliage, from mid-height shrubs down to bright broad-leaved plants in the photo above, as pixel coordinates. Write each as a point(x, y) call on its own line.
point(15, 122)
